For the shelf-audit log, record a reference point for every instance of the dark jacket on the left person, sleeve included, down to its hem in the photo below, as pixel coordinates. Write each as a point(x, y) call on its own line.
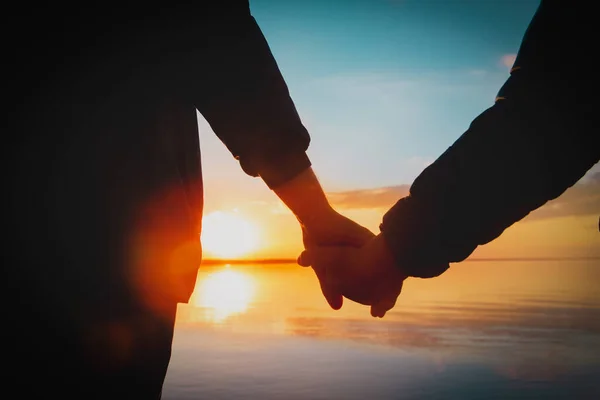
point(106, 186)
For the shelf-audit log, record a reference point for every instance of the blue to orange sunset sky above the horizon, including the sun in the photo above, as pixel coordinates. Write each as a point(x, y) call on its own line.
point(384, 87)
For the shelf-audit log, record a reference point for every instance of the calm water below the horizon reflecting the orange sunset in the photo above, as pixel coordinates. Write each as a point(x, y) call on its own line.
point(483, 330)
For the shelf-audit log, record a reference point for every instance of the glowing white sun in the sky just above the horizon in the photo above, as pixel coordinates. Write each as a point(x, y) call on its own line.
point(228, 235)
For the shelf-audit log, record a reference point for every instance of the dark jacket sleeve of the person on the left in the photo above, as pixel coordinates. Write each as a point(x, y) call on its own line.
point(242, 94)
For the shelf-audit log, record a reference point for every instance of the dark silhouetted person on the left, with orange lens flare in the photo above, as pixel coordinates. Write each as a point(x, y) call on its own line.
point(105, 184)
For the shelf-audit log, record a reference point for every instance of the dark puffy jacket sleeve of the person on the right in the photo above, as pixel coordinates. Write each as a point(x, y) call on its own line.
point(536, 141)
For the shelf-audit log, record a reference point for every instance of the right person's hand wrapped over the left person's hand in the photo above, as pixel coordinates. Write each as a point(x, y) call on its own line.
point(366, 275)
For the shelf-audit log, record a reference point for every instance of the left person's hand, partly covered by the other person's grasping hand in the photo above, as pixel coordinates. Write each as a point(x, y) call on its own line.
point(332, 229)
